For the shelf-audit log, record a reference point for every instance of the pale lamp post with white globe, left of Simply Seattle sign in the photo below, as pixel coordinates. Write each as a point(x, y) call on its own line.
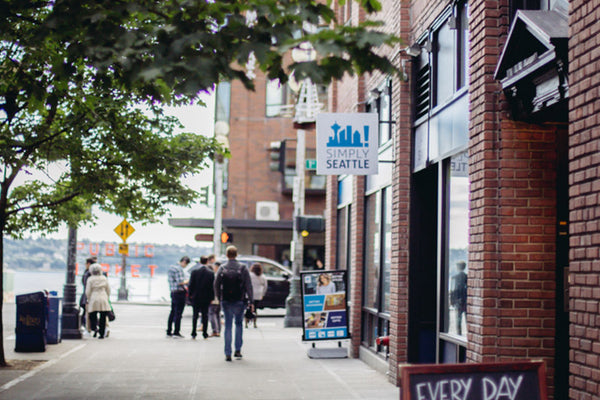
point(306, 110)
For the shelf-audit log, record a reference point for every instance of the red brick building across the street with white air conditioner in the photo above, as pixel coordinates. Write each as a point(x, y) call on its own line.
point(257, 200)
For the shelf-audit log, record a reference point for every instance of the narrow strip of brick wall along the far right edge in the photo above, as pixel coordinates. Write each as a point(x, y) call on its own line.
point(584, 163)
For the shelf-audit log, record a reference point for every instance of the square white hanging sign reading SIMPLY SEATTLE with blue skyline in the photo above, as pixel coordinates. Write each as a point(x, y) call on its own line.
point(347, 143)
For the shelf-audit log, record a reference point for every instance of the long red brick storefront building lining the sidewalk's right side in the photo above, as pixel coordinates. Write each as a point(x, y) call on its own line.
point(492, 136)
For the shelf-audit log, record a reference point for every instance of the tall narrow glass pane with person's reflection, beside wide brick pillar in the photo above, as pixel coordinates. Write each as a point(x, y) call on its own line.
point(458, 240)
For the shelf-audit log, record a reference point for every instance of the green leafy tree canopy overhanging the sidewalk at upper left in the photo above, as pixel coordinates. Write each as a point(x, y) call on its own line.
point(82, 83)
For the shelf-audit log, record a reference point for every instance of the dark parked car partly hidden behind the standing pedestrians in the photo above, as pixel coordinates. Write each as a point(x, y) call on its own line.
point(278, 278)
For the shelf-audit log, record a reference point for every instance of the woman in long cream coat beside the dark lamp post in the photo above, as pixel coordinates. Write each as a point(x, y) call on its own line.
point(97, 291)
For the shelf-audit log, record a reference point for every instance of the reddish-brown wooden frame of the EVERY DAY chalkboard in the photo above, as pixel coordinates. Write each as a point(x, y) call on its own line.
point(408, 371)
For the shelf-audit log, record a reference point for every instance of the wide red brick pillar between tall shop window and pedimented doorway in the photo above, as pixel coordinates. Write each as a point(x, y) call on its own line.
point(511, 310)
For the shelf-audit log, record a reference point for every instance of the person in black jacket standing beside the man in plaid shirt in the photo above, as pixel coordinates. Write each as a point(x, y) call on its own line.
point(201, 292)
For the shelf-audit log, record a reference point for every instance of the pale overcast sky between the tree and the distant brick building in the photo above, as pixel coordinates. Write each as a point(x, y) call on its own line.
point(196, 119)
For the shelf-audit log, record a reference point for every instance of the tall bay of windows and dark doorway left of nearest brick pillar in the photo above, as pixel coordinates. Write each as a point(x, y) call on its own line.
point(441, 137)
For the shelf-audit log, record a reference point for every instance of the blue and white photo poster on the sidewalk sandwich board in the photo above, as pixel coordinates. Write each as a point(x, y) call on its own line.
point(324, 305)
